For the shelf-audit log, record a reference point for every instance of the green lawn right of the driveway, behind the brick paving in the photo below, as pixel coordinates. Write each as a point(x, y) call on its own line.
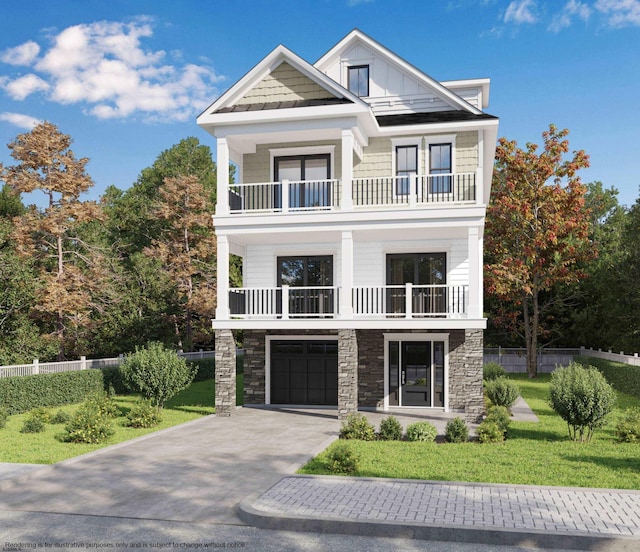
point(533, 454)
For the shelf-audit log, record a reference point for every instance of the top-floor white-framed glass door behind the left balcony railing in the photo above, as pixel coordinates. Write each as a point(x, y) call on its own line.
point(309, 176)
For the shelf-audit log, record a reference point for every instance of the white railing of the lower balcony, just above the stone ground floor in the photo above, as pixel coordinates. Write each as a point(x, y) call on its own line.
point(402, 301)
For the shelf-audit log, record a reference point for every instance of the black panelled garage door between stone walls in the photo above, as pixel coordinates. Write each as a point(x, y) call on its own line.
point(304, 372)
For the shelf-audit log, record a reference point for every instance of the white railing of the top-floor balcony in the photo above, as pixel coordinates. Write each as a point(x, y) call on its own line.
point(323, 195)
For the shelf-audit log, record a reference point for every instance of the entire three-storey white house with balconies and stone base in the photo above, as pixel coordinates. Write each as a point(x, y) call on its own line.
point(358, 211)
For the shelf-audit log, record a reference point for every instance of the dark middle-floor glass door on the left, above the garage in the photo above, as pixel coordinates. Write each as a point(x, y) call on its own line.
point(311, 278)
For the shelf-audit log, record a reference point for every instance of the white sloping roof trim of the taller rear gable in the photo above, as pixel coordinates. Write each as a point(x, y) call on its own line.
point(355, 36)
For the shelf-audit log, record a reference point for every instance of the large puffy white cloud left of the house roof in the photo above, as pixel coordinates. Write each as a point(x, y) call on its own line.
point(104, 66)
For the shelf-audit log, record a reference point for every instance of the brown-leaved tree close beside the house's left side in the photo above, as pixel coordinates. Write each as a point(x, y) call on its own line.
point(186, 247)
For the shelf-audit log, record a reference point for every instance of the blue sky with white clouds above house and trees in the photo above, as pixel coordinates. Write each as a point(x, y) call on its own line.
point(127, 78)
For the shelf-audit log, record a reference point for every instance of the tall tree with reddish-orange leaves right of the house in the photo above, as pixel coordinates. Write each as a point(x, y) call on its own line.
point(537, 232)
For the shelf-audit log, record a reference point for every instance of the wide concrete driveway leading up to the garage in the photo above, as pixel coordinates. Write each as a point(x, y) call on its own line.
point(196, 472)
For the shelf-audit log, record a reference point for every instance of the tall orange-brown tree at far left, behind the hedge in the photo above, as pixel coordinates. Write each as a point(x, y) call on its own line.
point(69, 269)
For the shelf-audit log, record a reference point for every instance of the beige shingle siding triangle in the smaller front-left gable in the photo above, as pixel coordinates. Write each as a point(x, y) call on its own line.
point(284, 84)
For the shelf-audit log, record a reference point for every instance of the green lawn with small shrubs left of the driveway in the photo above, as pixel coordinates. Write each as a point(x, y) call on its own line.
point(46, 448)
